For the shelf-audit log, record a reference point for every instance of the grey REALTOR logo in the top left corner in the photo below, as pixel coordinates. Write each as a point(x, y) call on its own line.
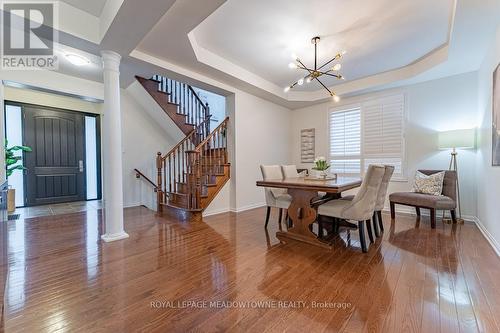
point(29, 32)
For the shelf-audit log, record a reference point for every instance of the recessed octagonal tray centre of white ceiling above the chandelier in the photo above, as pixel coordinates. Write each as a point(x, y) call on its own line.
point(379, 35)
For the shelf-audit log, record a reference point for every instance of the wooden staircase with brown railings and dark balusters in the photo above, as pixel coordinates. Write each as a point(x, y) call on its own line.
point(192, 173)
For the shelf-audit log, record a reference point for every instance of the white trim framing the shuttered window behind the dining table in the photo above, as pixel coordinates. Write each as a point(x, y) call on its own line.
point(404, 165)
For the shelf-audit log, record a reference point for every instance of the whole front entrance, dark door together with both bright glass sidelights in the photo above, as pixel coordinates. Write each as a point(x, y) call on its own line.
point(65, 162)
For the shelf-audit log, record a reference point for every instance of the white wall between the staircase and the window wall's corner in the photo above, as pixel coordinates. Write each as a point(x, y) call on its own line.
point(261, 134)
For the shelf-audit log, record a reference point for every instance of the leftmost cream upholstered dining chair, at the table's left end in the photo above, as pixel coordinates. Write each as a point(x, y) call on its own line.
point(275, 197)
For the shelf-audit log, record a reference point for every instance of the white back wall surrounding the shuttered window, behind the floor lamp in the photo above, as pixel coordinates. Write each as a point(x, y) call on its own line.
point(433, 106)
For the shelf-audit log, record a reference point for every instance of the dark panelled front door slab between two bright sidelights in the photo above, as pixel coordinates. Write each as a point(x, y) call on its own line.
point(55, 168)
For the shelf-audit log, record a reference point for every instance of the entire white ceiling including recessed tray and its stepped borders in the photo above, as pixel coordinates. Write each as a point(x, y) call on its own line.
point(246, 45)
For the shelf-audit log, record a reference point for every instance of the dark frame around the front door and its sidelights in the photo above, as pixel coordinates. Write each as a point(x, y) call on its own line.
point(97, 116)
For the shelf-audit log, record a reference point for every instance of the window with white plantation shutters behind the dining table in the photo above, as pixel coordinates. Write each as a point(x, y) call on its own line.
point(372, 133)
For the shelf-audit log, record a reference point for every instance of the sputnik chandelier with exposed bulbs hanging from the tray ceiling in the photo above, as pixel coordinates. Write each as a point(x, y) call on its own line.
point(317, 72)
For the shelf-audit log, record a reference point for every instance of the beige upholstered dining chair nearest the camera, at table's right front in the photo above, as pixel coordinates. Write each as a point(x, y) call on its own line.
point(362, 205)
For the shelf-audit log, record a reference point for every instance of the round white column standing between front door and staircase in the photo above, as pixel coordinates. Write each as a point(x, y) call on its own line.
point(112, 149)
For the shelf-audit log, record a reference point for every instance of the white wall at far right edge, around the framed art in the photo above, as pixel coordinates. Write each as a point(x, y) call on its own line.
point(488, 177)
